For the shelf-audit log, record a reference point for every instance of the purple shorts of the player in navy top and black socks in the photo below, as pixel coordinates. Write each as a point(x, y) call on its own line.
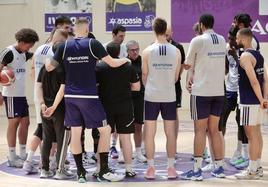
point(83, 111)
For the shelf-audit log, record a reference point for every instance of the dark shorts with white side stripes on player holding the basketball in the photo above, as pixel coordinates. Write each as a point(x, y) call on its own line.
point(16, 107)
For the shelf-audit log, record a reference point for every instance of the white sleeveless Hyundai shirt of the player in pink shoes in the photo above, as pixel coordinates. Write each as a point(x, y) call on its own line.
point(162, 65)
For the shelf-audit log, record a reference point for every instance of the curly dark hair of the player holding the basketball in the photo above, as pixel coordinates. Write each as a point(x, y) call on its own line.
point(27, 35)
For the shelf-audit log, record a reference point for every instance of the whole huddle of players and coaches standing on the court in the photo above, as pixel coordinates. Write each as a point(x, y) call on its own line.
point(111, 89)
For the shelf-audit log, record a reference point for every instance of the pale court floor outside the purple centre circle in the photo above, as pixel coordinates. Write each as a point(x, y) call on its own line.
point(185, 145)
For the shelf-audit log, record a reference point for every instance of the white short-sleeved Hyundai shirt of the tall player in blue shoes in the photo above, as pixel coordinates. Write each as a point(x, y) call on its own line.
point(207, 56)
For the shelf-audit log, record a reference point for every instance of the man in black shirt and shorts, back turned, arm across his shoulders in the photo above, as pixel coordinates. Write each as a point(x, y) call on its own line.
point(115, 85)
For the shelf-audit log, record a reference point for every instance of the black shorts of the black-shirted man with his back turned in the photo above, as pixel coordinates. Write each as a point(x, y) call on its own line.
point(121, 118)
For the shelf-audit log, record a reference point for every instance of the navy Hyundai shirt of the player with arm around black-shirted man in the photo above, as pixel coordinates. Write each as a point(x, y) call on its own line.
point(79, 57)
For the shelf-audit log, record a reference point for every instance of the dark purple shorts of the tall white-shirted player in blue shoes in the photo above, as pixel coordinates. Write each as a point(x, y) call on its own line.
point(203, 107)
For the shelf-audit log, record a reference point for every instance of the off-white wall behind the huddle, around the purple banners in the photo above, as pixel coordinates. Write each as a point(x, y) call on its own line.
point(15, 17)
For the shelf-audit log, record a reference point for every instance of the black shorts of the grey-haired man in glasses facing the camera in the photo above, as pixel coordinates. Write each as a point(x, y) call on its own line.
point(138, 106)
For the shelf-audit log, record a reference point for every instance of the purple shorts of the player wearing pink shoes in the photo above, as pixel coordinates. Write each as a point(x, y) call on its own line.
point(152, 109)
